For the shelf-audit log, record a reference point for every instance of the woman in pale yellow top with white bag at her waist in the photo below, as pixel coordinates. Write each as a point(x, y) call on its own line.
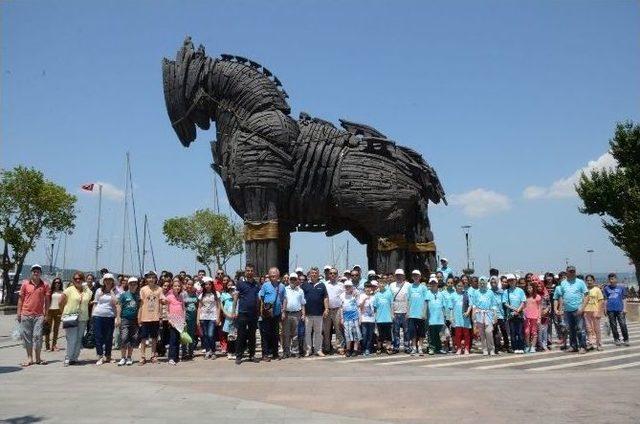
point(74, 304)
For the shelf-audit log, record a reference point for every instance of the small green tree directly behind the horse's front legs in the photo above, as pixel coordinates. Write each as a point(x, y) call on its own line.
point(212, 237)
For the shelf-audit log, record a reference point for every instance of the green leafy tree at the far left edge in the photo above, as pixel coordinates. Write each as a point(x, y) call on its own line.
point(30, 205)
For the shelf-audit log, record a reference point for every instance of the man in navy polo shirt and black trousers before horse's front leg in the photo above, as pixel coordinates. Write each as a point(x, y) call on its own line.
point(245, 310)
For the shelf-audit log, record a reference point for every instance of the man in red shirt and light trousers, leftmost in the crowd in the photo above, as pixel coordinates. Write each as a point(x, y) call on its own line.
point(33, 306)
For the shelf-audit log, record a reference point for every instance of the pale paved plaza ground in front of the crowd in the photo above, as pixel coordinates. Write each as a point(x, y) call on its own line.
point(553, 387)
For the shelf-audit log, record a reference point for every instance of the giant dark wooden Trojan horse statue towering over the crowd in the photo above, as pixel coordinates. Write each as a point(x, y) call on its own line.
point(283, 175)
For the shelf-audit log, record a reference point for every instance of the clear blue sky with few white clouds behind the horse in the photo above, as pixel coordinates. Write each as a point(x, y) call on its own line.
point(508, 101)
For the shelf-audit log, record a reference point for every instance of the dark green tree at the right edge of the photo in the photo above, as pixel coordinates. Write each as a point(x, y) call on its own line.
point(614, 194)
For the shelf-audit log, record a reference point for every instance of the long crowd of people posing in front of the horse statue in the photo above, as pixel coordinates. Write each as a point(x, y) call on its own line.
point(309, 313)
